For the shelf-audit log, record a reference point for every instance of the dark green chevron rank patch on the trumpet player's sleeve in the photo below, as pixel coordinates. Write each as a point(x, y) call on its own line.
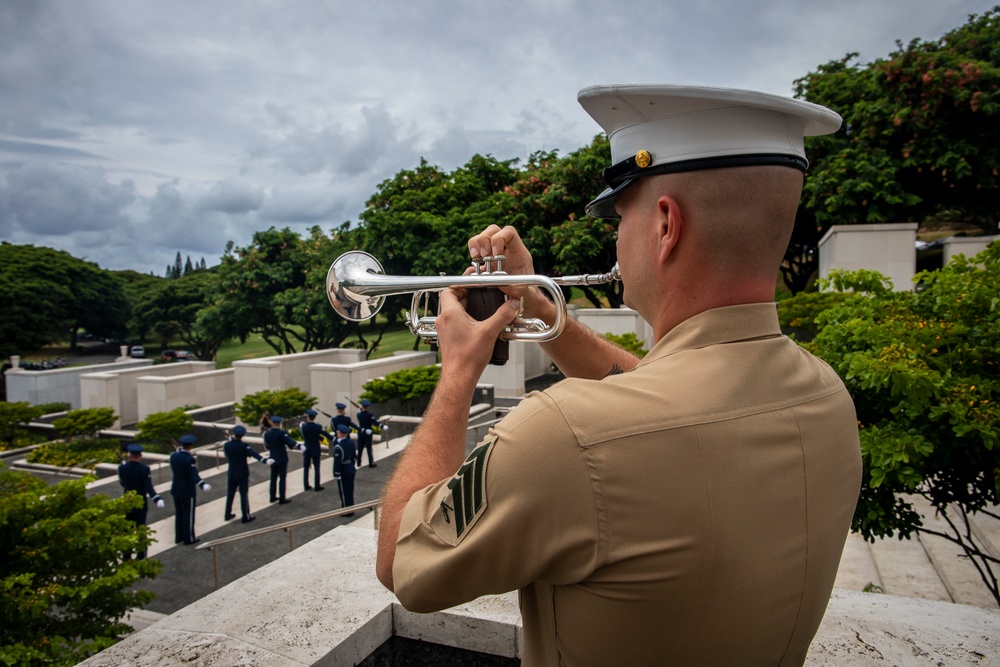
point(463, 499)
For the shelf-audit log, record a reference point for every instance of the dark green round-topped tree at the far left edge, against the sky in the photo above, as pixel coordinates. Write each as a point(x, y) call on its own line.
point(50, 295)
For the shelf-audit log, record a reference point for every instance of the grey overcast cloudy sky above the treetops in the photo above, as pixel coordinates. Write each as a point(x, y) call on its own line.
point(132, 130)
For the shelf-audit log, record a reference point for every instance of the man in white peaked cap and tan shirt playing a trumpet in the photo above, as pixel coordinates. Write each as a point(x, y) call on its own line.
point(686, 508)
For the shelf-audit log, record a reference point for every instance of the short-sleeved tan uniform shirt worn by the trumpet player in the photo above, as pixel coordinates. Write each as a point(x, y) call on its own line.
point(689, 512)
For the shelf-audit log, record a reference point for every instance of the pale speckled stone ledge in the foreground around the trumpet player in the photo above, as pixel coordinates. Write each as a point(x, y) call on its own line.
point(322, 605)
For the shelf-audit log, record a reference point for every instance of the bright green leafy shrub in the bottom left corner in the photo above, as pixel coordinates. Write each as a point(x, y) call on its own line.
point(66, 586)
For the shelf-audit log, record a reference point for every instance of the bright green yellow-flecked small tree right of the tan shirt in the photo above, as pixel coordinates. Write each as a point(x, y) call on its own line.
point(923, 367)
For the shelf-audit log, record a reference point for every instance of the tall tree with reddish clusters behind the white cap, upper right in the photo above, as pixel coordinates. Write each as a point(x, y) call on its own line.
point(920, 139)
